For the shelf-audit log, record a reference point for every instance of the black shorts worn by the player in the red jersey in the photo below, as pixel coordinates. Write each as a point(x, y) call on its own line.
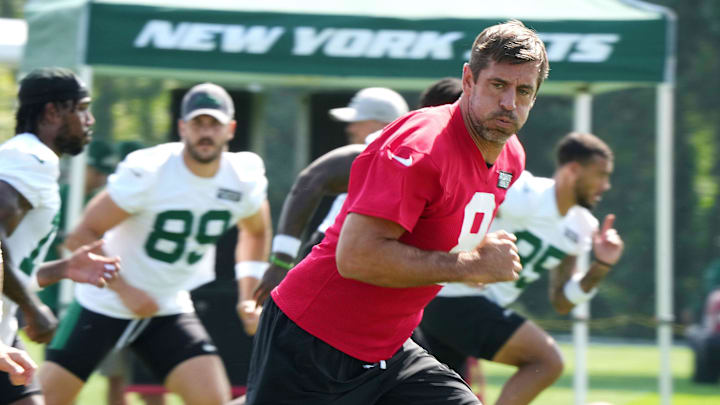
point(290, 366)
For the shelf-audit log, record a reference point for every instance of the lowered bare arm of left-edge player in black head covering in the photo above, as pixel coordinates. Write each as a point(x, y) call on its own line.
point(41, 323)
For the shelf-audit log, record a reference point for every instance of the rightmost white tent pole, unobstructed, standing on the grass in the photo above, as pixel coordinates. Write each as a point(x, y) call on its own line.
point(663, 235)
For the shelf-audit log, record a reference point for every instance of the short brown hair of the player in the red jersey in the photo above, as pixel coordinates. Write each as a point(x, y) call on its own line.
point(510, 42)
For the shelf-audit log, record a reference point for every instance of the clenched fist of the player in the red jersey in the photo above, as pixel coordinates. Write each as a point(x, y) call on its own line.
point(494, 260)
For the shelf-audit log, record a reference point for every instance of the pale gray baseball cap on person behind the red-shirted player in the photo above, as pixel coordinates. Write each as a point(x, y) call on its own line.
point(373, 103)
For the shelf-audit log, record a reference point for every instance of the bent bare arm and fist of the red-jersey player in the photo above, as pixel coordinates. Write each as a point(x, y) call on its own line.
point(369, 251)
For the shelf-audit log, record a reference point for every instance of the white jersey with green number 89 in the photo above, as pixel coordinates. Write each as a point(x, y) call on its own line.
point(176, 218)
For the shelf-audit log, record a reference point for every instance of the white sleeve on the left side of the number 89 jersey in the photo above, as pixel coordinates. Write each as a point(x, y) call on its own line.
point(128, 186)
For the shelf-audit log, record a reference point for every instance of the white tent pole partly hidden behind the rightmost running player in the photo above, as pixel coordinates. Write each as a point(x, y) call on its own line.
point(581, 313)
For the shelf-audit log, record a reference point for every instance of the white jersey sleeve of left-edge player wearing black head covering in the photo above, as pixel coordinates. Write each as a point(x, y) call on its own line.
point(30, 175)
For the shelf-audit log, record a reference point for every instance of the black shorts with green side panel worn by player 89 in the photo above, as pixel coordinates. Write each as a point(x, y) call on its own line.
point(84, 338)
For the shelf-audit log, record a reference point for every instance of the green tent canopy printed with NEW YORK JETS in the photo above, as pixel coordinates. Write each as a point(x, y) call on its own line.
point(604, 44)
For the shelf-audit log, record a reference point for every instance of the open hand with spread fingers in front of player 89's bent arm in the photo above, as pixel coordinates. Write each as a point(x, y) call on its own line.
point(88, 265)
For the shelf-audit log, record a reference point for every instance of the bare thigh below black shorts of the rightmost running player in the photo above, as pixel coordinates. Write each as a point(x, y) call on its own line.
point(529, 344)
